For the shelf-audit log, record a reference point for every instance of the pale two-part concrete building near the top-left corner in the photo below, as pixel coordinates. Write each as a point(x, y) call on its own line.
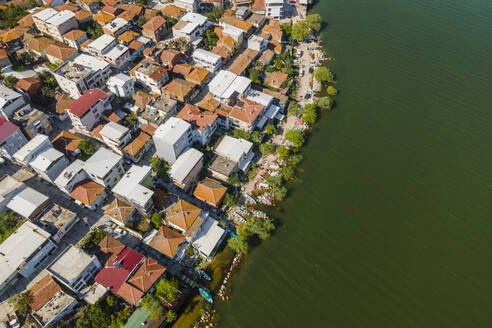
point(55, 24)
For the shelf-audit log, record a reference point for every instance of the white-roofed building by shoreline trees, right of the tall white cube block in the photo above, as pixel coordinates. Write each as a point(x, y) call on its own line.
point(236, 150)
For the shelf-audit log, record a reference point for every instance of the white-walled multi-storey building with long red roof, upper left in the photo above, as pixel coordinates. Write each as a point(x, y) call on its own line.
point(88, 109)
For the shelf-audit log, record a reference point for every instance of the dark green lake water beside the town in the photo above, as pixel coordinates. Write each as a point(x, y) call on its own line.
point(392, 225)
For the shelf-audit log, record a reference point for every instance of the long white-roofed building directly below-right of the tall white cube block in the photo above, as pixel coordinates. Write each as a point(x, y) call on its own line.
point(185, 170)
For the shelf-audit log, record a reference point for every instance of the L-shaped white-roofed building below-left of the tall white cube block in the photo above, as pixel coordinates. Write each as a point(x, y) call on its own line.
point(134, 188)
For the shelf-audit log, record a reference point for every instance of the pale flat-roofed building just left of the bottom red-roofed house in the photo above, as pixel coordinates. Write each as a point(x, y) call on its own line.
point(75, 268)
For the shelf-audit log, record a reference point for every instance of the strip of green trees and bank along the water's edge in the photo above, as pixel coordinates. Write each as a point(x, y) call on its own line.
point(280, 148)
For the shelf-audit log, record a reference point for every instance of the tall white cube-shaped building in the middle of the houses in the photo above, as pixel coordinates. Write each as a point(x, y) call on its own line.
point(172, 138)
